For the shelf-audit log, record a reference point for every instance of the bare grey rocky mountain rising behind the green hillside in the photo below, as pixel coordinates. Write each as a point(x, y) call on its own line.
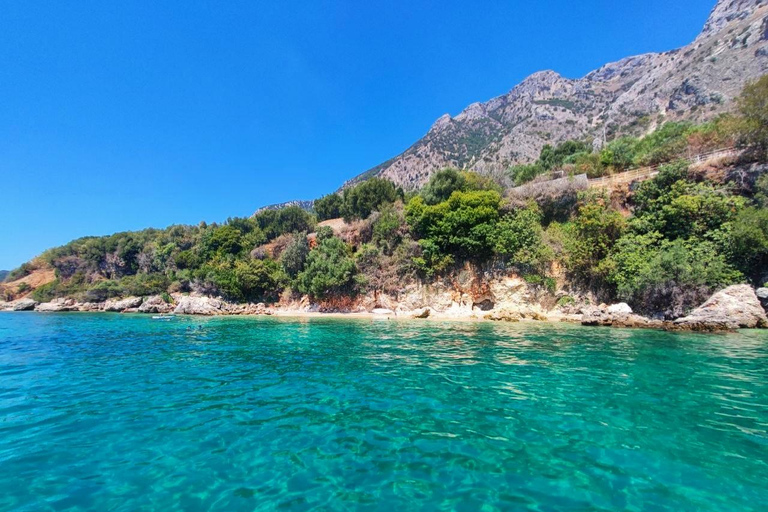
point(633, 95)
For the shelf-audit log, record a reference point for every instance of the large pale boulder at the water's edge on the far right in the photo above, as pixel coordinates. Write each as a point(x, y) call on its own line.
point(736, 307)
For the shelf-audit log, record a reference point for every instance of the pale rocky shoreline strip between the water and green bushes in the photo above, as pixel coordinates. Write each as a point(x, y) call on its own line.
point(735, 307)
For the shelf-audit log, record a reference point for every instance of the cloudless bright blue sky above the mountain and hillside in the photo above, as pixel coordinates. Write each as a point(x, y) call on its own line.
point(117, 116)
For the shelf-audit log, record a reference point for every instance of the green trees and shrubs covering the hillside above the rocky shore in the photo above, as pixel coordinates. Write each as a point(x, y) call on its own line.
point(663, 247)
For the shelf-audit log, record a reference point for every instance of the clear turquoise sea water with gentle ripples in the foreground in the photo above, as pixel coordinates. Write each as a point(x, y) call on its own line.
point(125, 413)
